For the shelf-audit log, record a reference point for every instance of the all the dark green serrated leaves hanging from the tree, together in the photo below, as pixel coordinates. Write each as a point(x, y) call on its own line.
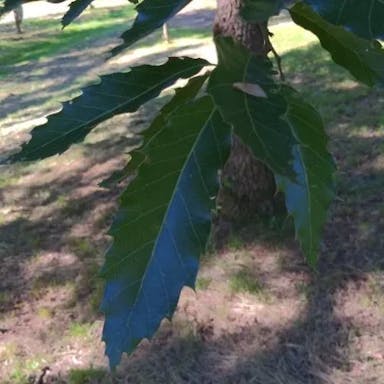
point(164, 218)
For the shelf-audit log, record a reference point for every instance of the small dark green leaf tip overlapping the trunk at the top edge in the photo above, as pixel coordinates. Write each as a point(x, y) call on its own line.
point(257, 11)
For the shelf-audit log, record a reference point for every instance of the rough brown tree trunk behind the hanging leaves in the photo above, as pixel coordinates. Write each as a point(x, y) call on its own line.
point(248, 185)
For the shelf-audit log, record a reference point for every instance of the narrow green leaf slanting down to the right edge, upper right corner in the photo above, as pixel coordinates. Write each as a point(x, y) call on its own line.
point(364, 59)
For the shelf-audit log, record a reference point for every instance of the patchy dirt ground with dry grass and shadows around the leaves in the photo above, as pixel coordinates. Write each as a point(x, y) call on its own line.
point(259, 314)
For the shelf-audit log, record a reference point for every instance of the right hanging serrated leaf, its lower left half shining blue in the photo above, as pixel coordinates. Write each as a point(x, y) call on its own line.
point(309, 195)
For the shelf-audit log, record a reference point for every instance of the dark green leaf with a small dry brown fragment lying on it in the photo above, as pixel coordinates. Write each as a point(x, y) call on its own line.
point(258, 121)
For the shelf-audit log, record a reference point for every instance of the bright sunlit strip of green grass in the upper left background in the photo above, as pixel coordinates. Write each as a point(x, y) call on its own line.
point(45, 38)
